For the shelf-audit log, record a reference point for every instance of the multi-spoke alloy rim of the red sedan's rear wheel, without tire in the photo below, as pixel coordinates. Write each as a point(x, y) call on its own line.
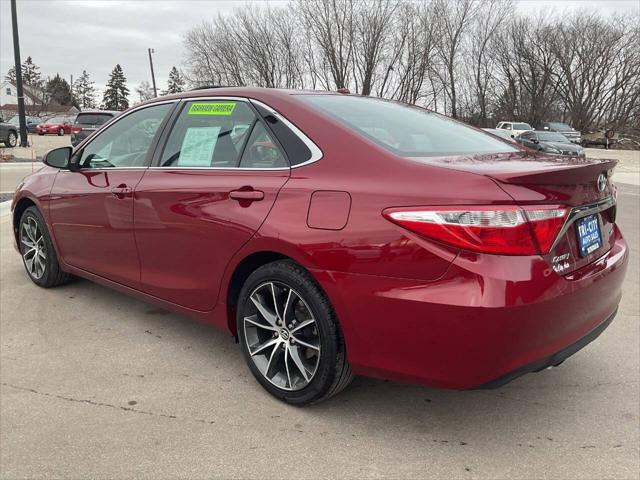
point(281, 335)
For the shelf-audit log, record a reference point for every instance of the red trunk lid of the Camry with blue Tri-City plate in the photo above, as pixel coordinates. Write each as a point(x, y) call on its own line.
point(580, 184)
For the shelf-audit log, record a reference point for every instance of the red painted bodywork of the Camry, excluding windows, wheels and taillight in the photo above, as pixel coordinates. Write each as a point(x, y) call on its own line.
point(410, 308)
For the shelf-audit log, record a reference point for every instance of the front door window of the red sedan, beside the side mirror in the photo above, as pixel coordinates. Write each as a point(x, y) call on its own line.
point(126, 142)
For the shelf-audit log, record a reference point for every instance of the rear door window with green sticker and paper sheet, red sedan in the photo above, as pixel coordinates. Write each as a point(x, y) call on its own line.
point(209, 134)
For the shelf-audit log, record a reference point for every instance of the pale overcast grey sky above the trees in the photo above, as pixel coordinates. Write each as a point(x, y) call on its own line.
point(68, 36)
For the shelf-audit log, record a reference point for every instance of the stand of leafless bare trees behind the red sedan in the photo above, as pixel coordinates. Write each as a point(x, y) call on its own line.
point(473, 59)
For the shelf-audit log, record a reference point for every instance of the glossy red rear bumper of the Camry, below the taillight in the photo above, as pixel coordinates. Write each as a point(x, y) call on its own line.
point(482, 321)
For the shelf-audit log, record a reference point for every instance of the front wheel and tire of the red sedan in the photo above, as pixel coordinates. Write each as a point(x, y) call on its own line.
point(38, 255)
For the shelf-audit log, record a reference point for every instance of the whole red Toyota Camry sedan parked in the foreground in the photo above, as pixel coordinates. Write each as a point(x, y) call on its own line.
point(334, 235)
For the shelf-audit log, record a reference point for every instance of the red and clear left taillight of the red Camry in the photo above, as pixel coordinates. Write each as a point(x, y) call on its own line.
point(504, 230)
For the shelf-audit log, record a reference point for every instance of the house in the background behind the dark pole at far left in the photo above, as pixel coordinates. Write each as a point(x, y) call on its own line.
point(35, 103)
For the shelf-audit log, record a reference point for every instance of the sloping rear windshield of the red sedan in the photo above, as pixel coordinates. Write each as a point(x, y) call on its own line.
point(405, 130)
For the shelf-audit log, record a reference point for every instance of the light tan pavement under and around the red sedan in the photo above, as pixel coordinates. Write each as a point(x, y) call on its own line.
point(94, 384)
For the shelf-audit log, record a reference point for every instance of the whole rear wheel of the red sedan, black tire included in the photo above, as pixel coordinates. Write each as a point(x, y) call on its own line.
point(290, 336)
